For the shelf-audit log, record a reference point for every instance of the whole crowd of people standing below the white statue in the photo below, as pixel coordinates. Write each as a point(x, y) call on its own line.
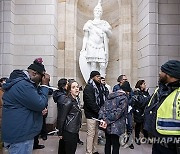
point(24, 101)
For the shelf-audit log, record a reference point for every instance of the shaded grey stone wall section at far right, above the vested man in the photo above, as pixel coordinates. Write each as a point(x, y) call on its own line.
point(168, 30)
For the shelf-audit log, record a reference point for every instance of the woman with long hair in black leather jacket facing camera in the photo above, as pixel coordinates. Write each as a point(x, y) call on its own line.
point(70, 119)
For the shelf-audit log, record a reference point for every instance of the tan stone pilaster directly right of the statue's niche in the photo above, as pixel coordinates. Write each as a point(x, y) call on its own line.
point(127, 40)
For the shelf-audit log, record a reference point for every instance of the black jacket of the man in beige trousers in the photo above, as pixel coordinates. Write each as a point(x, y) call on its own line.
point(91, 108)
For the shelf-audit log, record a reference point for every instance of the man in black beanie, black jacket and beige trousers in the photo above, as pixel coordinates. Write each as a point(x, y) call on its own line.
point(93, 98)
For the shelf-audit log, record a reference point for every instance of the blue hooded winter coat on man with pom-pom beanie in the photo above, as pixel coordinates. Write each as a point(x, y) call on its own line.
point(23, 103)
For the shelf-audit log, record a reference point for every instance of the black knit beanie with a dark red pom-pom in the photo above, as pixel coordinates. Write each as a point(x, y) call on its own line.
point(37, 66)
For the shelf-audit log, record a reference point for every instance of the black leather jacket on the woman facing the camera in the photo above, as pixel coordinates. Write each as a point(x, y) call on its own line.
point(70, 116)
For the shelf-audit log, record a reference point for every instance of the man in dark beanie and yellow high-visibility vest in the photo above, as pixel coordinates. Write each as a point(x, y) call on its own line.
point(162, 115)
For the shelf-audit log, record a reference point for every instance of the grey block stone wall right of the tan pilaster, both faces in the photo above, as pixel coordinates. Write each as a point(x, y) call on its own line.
point(158, 37)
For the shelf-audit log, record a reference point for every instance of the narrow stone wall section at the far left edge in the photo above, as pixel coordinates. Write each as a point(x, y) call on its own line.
point(7, 16)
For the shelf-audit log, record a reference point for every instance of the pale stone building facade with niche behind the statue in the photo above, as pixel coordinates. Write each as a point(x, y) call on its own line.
point(145, 34)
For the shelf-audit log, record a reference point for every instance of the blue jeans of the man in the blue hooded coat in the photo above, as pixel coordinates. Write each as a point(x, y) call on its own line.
point(25, 147)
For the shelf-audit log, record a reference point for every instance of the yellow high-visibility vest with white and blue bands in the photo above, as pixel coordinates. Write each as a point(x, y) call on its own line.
point(168, 114)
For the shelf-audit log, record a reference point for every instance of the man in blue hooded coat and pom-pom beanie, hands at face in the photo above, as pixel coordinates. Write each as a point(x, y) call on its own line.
point(23, 103)
